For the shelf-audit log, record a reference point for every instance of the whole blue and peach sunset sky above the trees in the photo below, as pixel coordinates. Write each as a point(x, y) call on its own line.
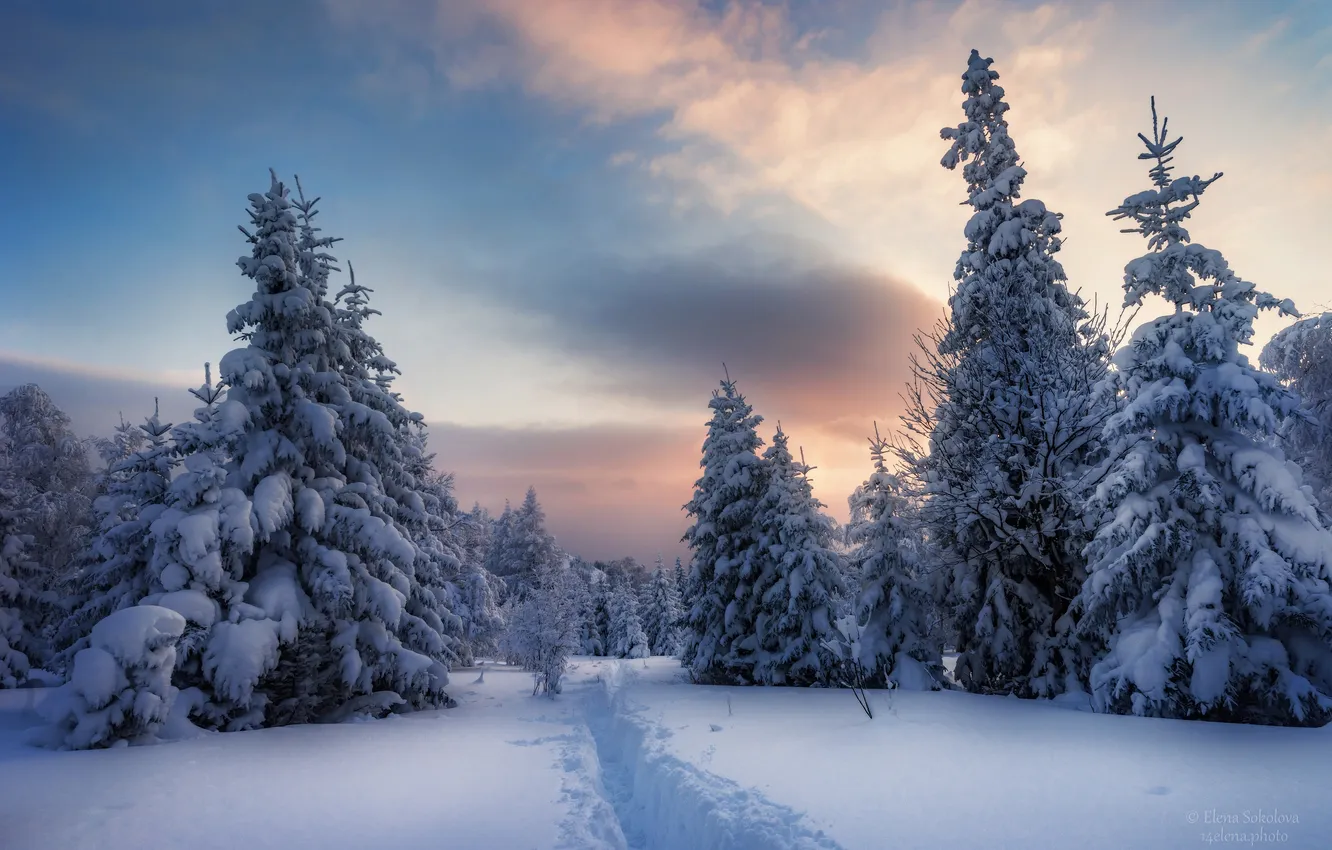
point(573, 212)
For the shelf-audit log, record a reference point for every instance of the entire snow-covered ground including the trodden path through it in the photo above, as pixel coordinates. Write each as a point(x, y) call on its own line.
point(631, 756)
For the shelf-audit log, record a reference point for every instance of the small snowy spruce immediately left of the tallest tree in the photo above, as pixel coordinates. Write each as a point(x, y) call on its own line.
point(898, 641)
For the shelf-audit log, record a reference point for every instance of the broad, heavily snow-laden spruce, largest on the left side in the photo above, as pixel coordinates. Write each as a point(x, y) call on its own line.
point(282, 528)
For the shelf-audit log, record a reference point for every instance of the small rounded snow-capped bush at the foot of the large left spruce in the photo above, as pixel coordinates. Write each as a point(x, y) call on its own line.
point(119, 691)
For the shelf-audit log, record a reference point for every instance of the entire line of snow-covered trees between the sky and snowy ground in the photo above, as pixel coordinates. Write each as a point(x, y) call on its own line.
point(1122, 508)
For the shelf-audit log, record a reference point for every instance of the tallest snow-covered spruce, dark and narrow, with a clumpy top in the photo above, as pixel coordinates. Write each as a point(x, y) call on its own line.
point(1004, 420)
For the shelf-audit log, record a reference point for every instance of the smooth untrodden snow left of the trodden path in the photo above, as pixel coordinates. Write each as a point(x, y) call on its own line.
point(479, 776)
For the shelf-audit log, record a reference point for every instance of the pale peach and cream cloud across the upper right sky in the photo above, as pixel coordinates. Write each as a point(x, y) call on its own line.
point(752, 105)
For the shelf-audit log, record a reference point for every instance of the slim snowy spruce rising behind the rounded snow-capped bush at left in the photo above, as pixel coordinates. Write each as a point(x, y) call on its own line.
point(114, 570)
